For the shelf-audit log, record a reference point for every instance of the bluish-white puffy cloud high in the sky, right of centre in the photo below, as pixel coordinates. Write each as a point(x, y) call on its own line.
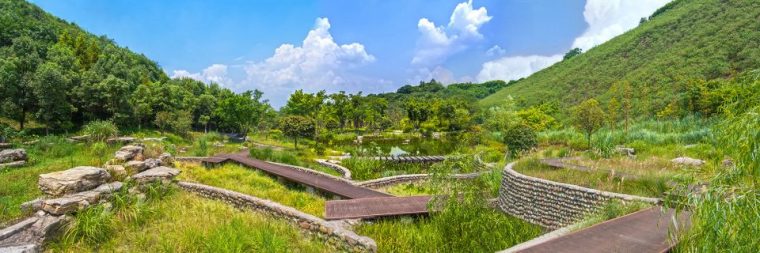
point(436, 43)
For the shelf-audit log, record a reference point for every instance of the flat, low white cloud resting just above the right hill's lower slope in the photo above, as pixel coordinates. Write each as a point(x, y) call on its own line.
point(515, 67)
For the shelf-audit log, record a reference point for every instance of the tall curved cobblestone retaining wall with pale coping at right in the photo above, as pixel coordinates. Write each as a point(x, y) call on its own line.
point(551, 204)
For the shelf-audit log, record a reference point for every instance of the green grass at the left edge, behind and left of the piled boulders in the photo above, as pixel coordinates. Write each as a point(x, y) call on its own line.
point(48, 155)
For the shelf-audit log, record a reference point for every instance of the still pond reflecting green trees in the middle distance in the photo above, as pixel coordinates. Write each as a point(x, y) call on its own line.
point(402, 146)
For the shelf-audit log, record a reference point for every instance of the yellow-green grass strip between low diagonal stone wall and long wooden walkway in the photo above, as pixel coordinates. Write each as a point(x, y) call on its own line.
point(255, 183)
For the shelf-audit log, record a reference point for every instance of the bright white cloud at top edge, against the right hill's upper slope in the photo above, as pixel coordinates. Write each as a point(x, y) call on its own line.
point(609, 18)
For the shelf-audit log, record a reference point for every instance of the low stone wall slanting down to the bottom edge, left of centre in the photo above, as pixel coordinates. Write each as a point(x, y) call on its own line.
point(335, 235)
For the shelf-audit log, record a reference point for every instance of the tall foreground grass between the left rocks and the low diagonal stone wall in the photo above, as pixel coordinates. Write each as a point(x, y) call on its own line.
point(182, 222)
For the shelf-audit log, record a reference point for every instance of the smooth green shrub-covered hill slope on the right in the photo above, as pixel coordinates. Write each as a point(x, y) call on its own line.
point(684, 44)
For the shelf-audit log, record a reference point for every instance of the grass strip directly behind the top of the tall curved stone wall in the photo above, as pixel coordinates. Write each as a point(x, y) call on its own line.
point(650, 186)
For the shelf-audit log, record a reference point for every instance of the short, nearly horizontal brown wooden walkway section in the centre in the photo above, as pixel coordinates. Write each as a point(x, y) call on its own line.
point(376, 207)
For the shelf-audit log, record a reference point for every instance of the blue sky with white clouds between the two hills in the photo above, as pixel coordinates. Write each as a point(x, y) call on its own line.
point(278, 46)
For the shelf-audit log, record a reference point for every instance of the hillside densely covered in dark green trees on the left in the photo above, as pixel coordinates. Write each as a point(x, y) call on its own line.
point(60, 77)
